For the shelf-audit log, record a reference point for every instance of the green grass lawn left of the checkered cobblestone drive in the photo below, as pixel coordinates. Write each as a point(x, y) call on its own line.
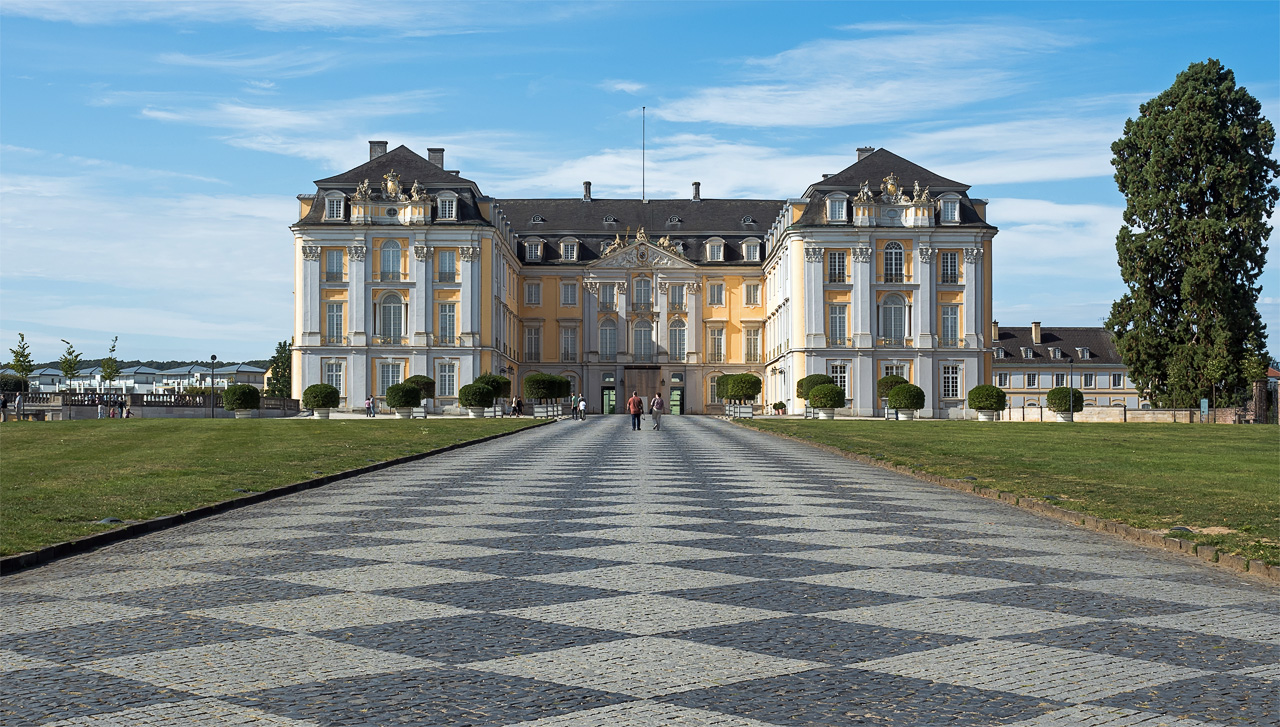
point(58, 478)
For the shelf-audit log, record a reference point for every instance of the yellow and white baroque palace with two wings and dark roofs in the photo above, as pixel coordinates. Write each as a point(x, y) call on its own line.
point(403, 268)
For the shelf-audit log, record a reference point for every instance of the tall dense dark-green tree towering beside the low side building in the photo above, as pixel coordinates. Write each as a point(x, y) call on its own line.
point(1196, 171)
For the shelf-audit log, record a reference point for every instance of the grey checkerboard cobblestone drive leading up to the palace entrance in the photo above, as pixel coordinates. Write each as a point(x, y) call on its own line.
point(586, 575)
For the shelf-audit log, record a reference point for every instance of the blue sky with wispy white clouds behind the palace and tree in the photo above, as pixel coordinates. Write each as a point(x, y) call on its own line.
point(152, 150)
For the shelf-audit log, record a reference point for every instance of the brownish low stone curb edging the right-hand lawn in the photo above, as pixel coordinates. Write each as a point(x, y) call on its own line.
point(1208, 554)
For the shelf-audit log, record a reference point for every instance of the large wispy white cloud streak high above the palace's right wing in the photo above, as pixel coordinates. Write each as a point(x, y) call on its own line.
point(890, 74)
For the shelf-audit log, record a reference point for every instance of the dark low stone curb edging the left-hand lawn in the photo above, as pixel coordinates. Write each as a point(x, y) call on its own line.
point(11, 565)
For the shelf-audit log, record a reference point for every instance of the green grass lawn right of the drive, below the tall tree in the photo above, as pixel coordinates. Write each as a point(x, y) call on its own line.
point(1223, 482)
